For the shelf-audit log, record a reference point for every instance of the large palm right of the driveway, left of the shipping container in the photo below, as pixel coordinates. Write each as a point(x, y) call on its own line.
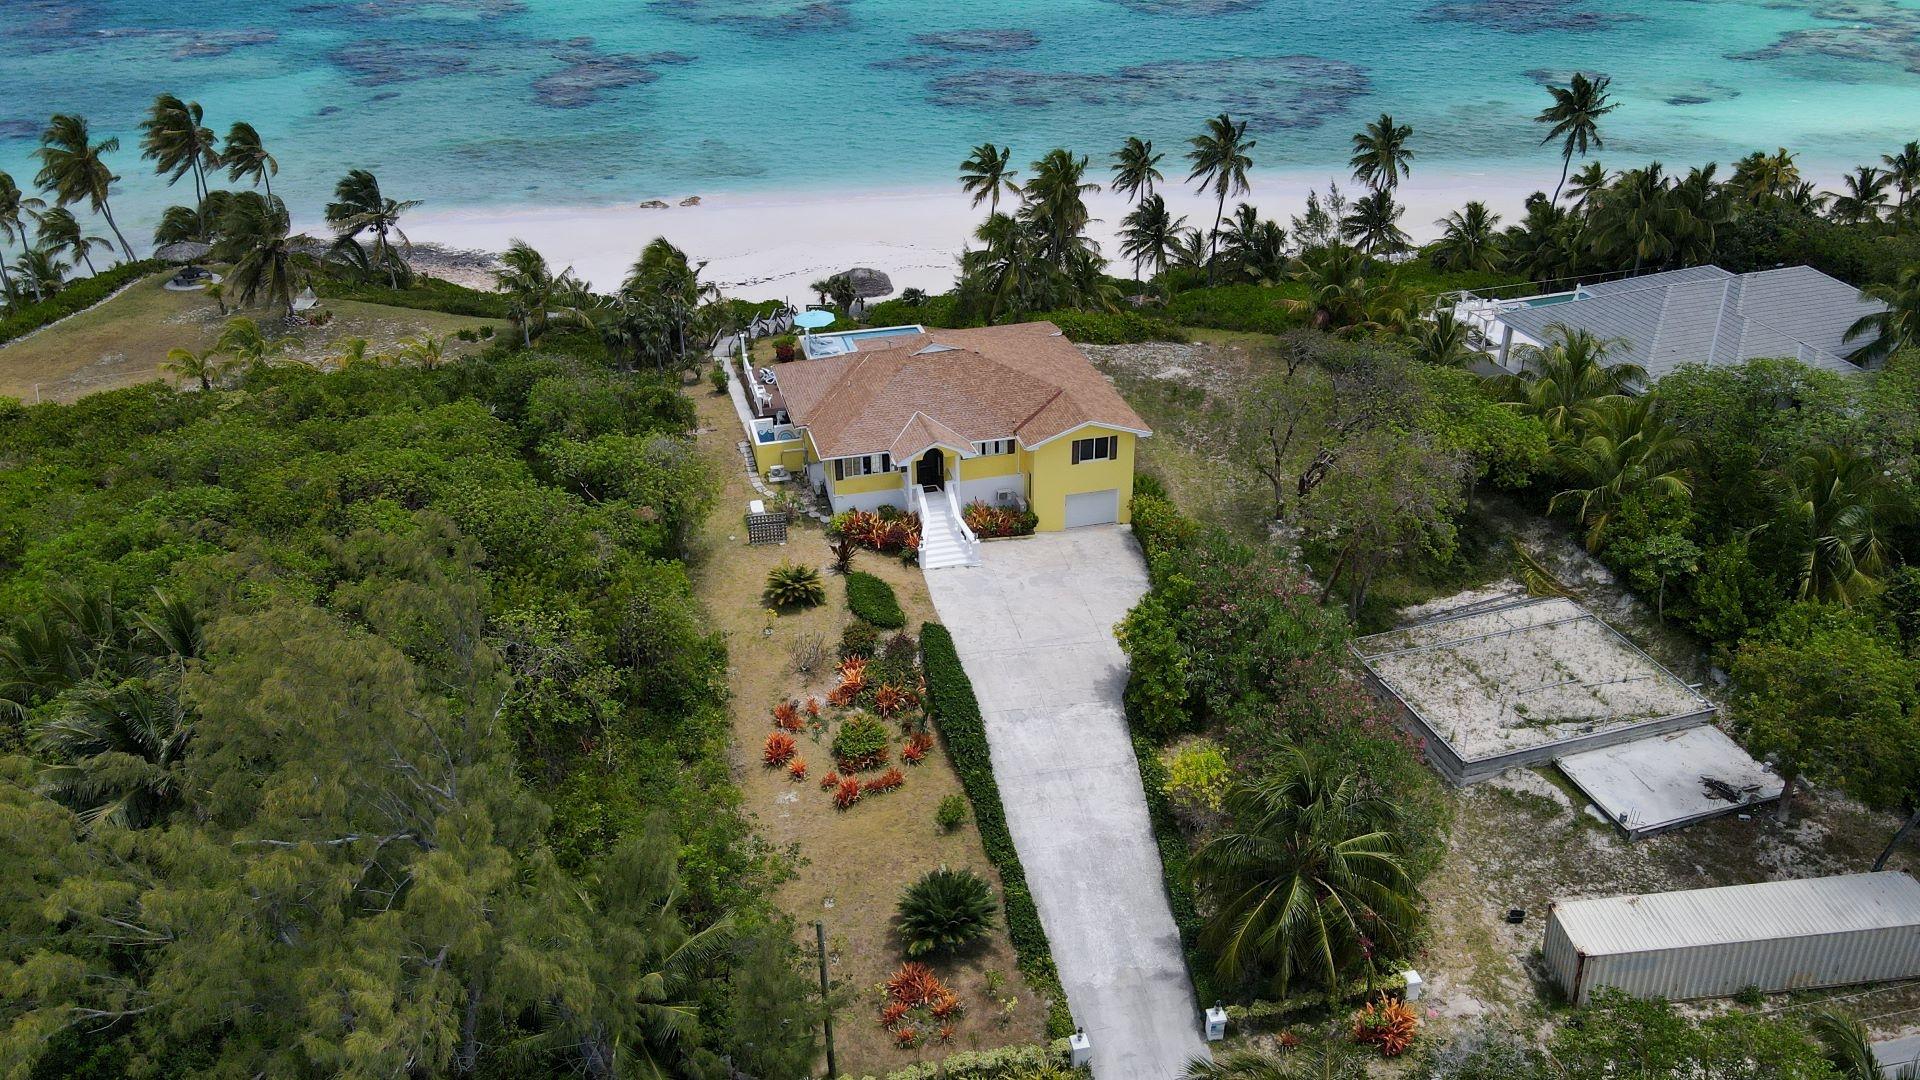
point(1307, 881)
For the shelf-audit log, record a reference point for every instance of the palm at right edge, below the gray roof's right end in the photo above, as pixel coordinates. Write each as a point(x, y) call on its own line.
point(1842, 508)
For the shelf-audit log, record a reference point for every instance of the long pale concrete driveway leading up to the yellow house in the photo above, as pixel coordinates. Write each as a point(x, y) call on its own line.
point(1036, 633)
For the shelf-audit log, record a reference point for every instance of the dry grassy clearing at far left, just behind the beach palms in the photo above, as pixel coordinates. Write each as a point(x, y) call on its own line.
point(124, 341)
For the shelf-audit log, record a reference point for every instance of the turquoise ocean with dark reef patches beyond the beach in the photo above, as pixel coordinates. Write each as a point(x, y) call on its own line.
point(581, 103)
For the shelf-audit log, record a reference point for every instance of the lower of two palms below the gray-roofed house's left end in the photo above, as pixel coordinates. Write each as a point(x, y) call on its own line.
point(1623, 449)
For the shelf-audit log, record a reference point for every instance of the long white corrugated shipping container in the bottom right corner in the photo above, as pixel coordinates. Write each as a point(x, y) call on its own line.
point(1721, 941)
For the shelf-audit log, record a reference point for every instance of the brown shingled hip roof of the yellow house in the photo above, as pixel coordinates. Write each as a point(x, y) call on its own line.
point(951, 387)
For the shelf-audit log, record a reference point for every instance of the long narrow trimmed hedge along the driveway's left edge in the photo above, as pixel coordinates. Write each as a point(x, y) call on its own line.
point(955, 714)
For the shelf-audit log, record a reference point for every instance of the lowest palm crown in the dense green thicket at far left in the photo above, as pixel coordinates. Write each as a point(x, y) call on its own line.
point(116, 756)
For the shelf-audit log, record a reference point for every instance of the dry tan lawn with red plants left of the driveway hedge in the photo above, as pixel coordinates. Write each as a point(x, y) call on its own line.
point(850, 868)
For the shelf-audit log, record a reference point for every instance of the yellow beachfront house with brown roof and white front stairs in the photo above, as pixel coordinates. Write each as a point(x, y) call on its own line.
point(924, 418)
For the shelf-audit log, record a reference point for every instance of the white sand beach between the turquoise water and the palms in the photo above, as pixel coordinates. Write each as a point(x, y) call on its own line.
point(771, 247)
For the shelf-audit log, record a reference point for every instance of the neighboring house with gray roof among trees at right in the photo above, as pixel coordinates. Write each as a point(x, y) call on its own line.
point(1689, 316)
